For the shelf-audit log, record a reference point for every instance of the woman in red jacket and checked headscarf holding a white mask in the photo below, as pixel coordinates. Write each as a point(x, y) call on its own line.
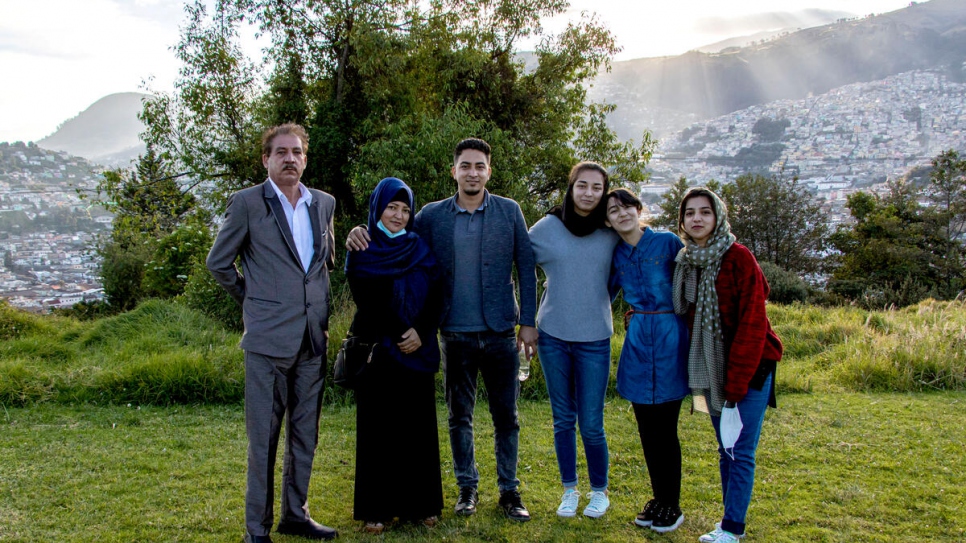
point(733, 353)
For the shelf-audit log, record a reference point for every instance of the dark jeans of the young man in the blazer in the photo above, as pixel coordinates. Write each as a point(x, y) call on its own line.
point(492, 355)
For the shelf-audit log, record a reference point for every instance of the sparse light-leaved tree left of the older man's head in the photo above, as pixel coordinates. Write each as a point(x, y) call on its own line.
point(206, 130)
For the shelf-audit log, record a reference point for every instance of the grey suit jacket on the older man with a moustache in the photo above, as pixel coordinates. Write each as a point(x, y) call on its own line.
point(280, 301)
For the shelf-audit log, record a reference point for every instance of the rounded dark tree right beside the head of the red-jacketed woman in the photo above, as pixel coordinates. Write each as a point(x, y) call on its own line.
point(779, 221)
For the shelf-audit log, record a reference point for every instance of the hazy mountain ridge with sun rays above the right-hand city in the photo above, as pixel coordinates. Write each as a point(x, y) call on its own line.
point(668, 93)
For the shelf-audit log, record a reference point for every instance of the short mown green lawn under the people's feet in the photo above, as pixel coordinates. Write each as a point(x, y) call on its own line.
point(839, 467)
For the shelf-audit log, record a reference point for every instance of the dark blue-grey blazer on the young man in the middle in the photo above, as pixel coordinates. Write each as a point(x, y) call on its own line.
point(505, 243)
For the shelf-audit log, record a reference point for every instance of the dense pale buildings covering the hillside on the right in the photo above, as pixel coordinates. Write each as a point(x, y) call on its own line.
point(855, 137)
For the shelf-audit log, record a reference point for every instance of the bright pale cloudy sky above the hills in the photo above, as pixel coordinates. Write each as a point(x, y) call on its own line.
point(57, 57)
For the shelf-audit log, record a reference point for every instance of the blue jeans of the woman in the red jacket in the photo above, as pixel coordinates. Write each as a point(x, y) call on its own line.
point(738, 475)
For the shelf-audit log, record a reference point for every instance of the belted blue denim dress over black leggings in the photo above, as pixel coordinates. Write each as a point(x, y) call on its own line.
point(653, 363)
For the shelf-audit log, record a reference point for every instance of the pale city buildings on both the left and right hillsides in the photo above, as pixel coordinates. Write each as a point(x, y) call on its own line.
point(855, 137)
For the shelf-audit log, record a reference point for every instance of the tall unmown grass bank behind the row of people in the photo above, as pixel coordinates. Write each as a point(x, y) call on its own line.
point(163, 353)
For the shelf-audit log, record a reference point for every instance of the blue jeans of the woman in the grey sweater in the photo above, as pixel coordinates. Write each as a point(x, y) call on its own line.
point(577, 375)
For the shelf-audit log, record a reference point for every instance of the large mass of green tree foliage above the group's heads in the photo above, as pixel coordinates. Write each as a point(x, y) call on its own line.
point(388, 87)
